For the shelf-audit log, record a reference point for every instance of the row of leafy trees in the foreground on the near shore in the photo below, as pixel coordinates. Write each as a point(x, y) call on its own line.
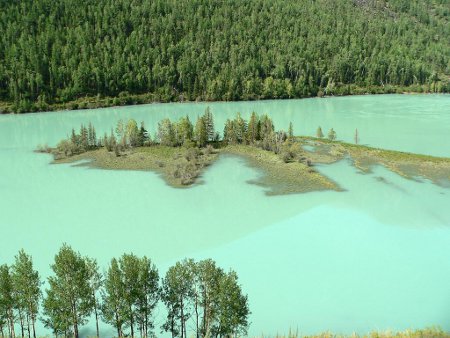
point(125, 296)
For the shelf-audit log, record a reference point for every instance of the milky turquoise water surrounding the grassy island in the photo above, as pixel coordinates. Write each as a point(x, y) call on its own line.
point(376, 256)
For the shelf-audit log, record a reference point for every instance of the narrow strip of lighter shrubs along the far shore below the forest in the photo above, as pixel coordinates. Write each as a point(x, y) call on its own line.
point(125, 98)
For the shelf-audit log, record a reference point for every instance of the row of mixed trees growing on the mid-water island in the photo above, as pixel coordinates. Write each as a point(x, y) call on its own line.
point(258, 131)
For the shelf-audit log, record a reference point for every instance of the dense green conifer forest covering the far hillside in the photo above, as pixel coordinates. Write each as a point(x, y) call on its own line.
point(54, 52)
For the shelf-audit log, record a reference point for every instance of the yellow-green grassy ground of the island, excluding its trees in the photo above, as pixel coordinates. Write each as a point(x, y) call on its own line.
point(291, 171)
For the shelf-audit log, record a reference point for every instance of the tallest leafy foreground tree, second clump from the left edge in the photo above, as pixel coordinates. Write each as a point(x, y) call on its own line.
point(68, 298)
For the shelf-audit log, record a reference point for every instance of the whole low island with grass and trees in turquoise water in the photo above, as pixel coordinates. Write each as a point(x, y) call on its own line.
point(180, 152)
